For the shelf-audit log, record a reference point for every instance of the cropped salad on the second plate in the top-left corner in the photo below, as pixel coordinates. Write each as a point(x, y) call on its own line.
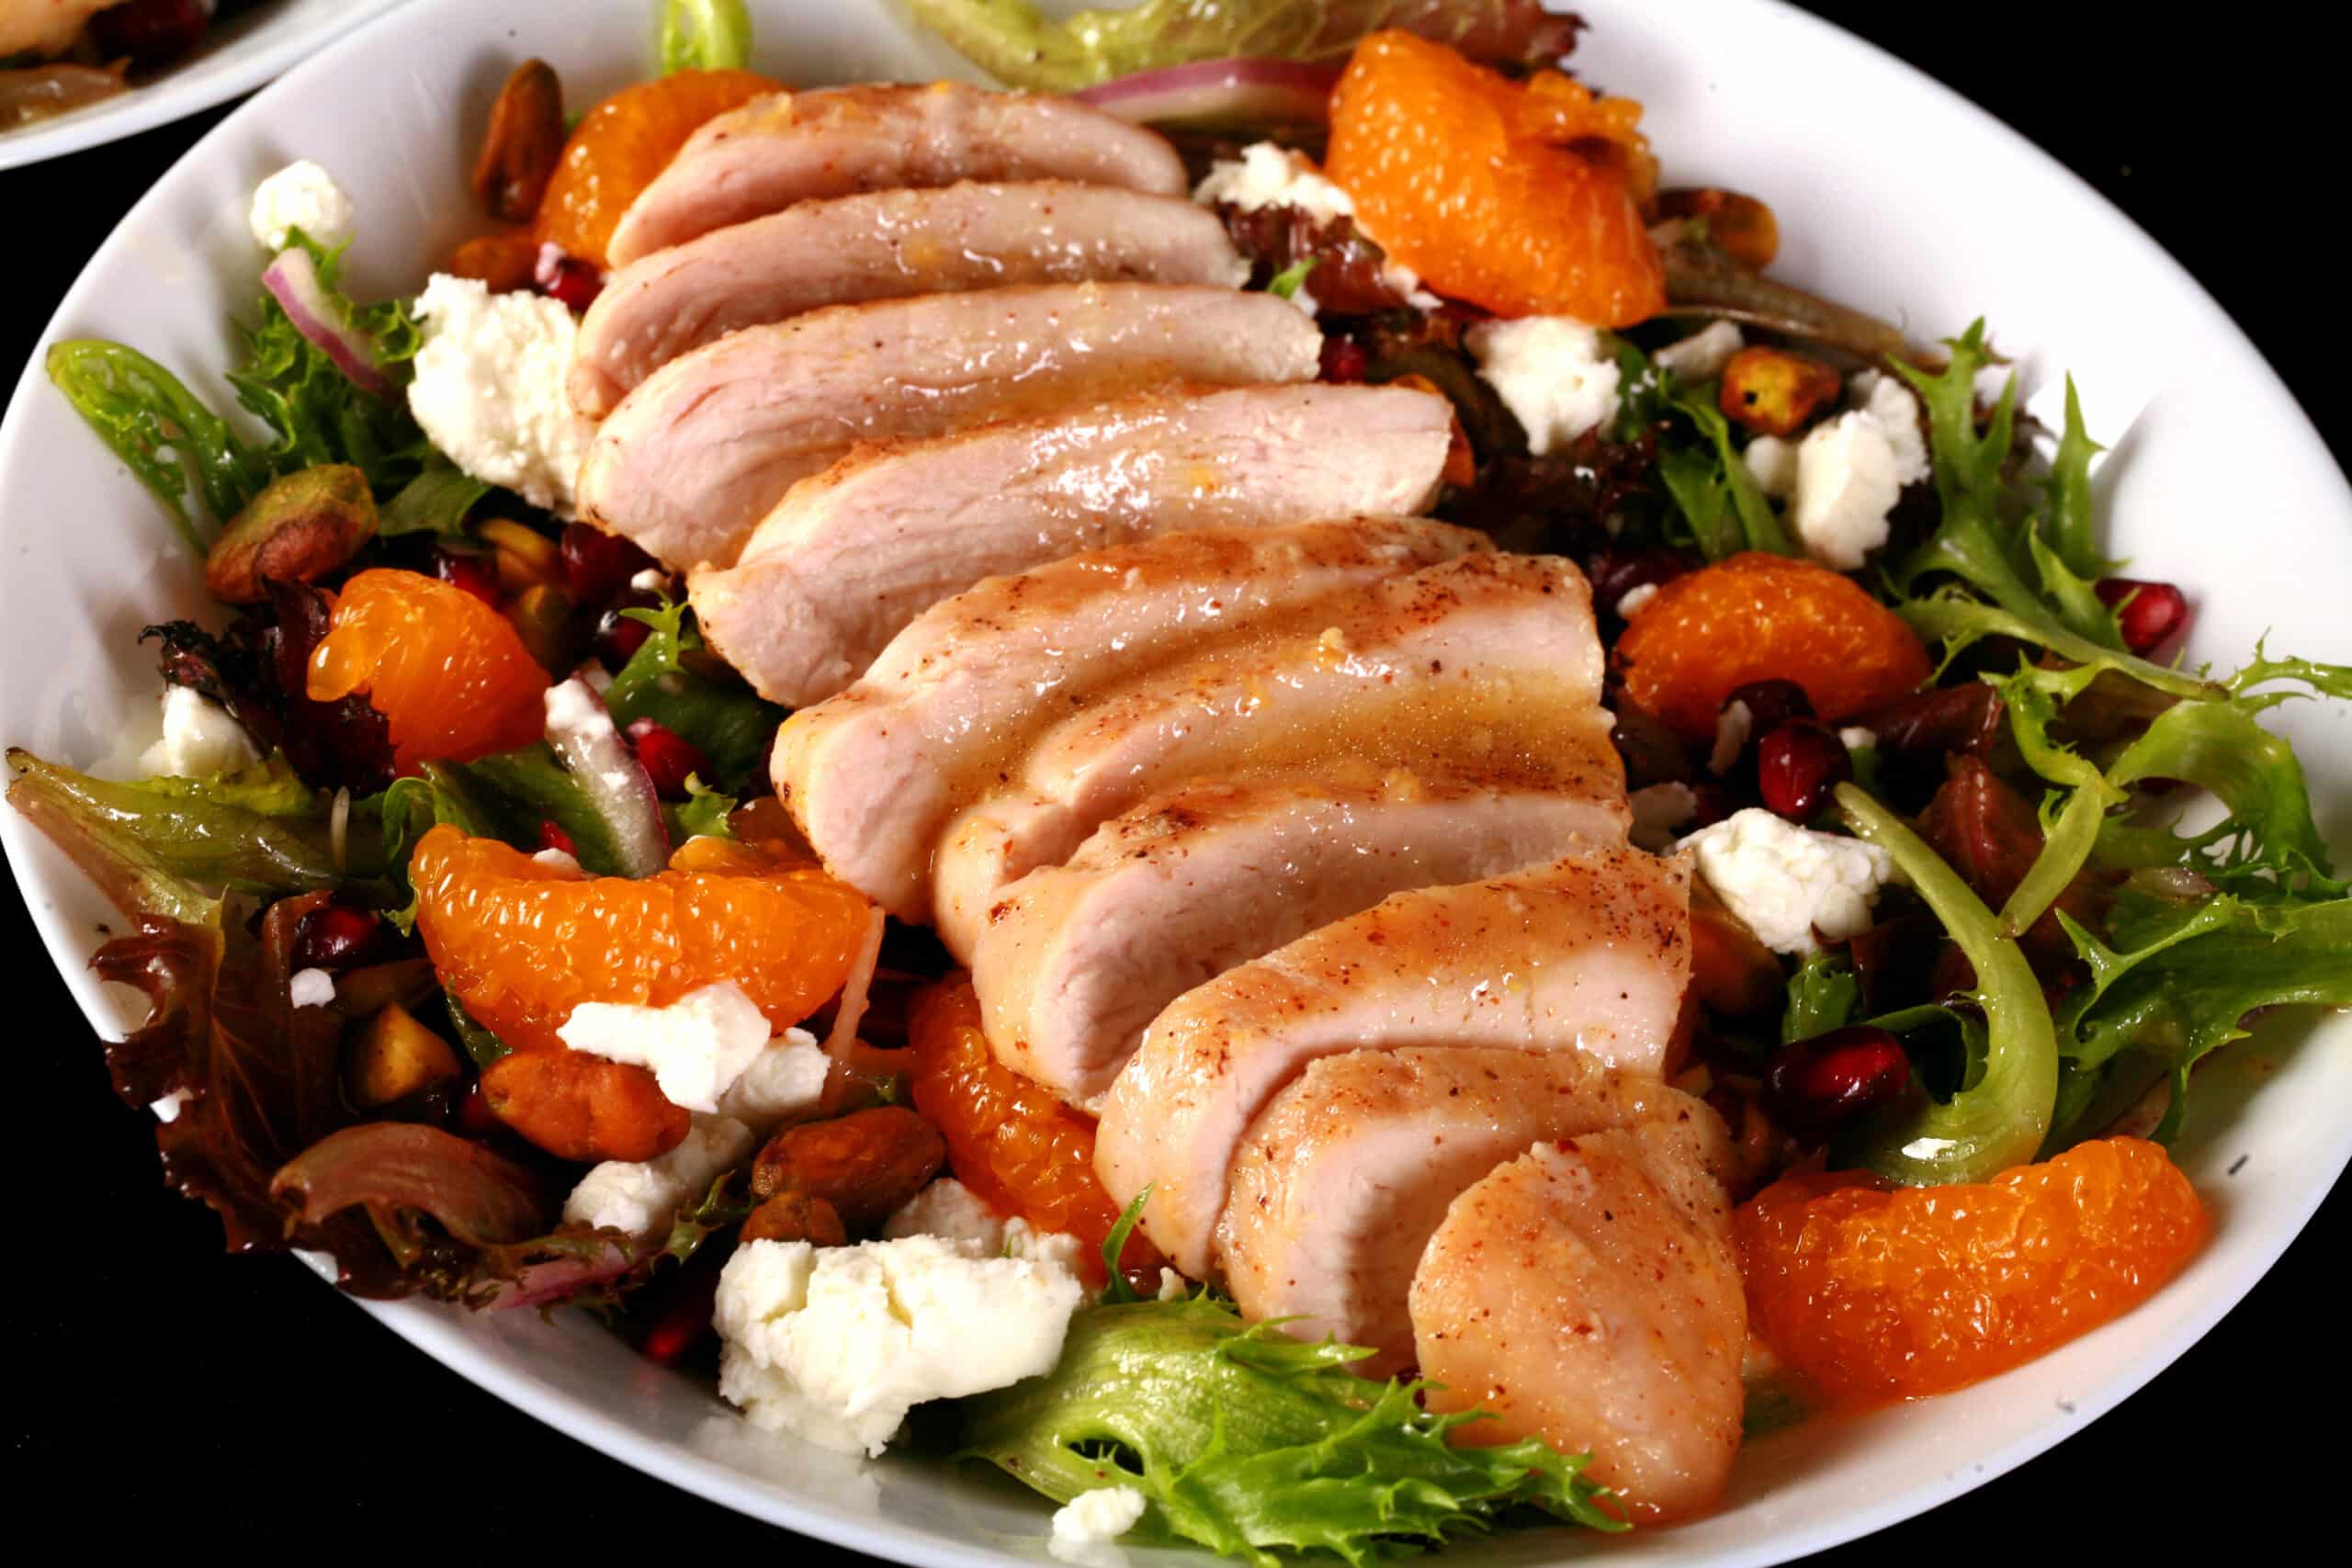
point(60, 55)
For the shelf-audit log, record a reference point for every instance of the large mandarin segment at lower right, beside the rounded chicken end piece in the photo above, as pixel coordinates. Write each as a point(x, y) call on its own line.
point(1873, 1294)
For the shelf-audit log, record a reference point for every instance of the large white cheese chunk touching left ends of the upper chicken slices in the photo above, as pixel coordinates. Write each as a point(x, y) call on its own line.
point(490, 389)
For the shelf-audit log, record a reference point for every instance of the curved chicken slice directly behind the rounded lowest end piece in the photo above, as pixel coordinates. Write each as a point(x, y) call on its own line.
point(1351, 1170)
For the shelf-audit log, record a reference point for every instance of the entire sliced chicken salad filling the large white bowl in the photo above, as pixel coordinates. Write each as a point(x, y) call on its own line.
point(683, 815)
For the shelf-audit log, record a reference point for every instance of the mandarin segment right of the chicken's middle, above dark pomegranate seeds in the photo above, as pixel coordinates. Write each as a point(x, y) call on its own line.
point(1765, 617)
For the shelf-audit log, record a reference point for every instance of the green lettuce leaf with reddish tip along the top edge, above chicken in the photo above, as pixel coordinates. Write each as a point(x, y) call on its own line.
point(1022, 48)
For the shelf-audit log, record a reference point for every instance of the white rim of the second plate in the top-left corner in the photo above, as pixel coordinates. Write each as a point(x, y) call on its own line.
point(234, 58)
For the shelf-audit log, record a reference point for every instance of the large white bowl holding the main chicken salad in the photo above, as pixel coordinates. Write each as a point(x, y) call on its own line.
point(1935, 217)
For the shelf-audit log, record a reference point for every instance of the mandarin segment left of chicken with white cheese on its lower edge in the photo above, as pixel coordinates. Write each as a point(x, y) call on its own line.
point(523, 944)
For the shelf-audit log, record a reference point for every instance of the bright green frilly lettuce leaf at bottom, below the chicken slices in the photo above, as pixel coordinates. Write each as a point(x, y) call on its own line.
point(1250, 1442)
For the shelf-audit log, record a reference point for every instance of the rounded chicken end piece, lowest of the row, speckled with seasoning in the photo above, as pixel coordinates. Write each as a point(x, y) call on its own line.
point(1589, 1294)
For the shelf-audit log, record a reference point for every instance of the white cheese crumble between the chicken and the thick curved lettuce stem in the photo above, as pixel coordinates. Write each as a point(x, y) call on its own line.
point(1786, 883)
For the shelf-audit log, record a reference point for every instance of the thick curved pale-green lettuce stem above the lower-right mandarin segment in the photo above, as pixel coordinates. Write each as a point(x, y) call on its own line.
point(2003, 1115)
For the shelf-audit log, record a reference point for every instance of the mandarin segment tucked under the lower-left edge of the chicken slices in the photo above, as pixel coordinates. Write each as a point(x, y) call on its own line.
point(1010, 1139)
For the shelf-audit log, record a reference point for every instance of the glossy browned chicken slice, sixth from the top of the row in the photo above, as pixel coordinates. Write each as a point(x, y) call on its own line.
point(1485, 664)
